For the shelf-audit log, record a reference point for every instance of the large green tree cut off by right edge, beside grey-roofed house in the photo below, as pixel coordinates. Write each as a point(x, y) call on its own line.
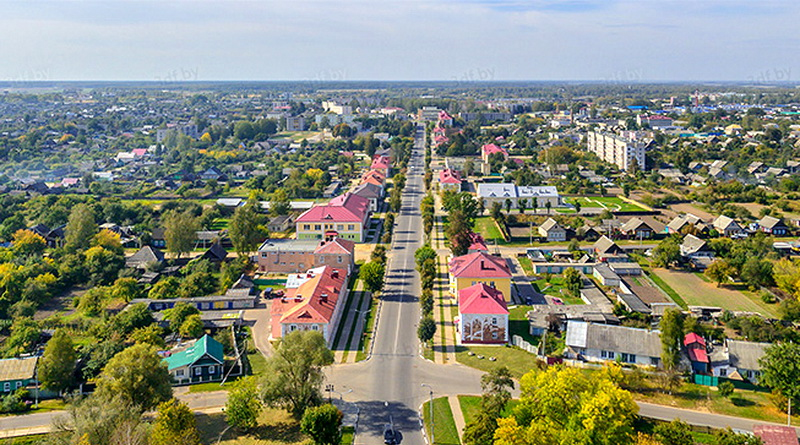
point(780, 370)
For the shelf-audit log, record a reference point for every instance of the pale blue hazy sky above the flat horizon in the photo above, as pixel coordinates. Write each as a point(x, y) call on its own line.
point(449, 40)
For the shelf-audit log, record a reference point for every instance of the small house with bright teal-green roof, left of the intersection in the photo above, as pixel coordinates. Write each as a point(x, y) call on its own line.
point(201, 361)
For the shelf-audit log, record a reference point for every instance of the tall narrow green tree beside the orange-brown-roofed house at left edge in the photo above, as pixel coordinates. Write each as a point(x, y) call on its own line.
point(57, 366)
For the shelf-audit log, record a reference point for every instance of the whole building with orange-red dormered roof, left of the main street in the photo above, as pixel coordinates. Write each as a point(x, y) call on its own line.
point(314, 305)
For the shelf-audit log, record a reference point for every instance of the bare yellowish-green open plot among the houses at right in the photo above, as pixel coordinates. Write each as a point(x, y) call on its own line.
point(697, 292)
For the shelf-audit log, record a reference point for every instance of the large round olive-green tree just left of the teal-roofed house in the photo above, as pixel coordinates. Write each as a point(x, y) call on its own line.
point(138, 376)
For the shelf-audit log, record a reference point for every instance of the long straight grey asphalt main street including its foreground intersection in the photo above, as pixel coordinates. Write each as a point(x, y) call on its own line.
point(388, 386)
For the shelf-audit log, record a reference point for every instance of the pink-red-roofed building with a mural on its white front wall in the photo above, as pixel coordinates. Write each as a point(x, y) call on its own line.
point(482, 315)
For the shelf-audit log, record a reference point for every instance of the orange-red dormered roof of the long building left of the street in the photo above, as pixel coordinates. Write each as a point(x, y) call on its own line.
point(304, 304)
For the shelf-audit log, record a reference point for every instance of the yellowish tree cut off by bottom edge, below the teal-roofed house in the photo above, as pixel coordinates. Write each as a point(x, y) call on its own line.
point(174, 424)
